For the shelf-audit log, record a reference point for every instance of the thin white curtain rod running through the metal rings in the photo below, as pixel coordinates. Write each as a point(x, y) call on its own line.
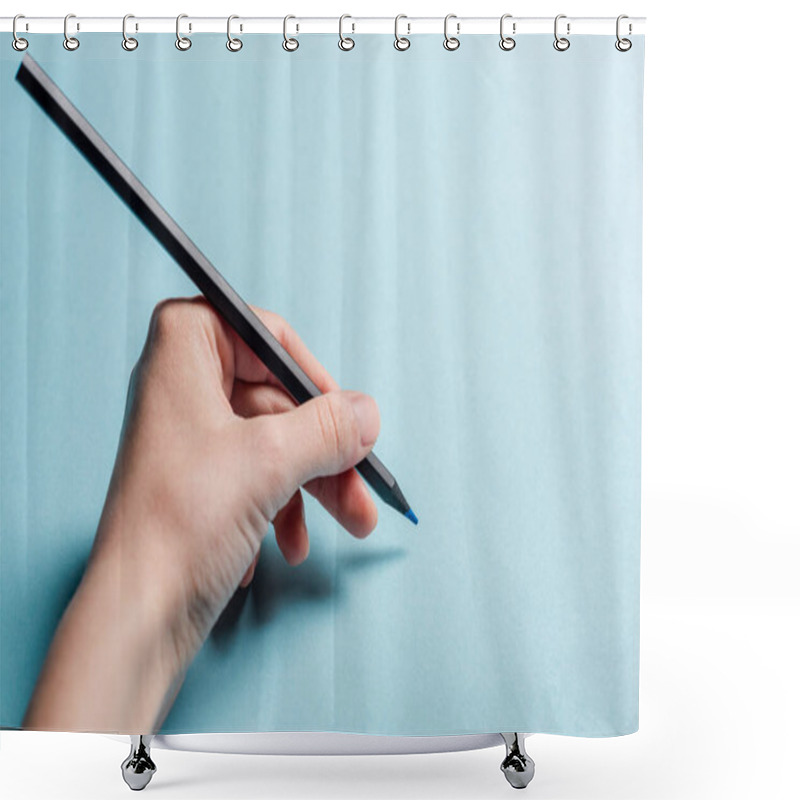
point(407, 25)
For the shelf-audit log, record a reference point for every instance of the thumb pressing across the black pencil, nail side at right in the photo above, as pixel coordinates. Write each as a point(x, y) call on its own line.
point(325, 436)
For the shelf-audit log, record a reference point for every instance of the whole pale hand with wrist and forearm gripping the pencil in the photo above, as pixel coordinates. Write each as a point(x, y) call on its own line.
point(212, 452)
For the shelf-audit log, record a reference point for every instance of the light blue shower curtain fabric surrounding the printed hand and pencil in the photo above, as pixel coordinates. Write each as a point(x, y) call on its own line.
point(456, 233)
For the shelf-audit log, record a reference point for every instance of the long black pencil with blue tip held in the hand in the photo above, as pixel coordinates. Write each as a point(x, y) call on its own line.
point(200, 270)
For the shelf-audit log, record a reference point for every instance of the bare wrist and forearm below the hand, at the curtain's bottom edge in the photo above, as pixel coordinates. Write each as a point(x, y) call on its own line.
point(113, 665)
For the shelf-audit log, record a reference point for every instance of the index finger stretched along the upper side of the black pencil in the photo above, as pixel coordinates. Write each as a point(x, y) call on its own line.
point(249, 367)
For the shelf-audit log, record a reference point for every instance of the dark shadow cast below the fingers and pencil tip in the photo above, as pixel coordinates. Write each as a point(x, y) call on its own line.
point(276, 584)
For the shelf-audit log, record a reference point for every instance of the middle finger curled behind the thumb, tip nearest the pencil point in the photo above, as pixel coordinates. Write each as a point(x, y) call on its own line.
point(345, 496)
